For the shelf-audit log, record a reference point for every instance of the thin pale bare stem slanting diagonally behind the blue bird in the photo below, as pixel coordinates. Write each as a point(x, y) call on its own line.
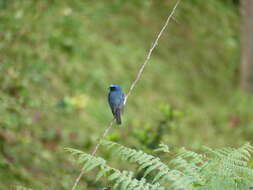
point(155, 43)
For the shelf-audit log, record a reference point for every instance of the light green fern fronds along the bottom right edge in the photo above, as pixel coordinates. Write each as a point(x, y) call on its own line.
point(225, 168)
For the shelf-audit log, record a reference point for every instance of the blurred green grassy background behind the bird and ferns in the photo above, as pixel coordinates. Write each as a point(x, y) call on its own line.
point(57, 59)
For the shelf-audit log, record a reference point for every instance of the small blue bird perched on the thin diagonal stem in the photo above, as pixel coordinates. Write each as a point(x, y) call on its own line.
point(116, 101)
